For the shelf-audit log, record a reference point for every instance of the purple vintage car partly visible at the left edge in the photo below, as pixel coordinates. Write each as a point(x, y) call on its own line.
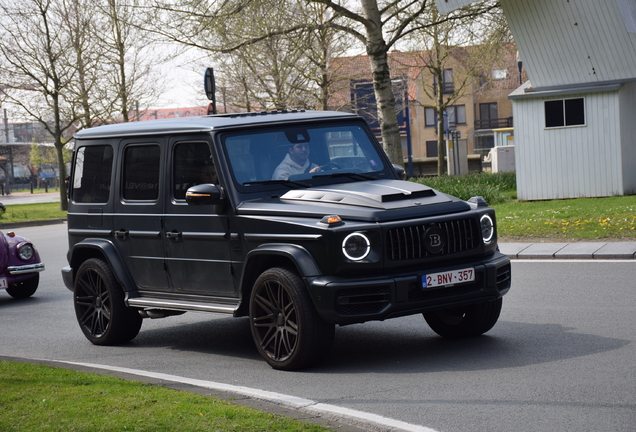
point(19, 265)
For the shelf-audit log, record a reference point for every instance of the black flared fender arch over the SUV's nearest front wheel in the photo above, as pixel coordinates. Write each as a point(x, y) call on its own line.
point(267, 256)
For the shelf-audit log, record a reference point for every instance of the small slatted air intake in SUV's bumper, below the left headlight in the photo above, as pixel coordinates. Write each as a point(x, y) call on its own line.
point(361, 301)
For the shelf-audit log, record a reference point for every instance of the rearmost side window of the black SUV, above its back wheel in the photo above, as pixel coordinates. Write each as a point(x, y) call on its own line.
point(92, 174)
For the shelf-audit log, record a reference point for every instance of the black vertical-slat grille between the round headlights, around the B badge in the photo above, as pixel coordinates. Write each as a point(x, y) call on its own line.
point(407, 243)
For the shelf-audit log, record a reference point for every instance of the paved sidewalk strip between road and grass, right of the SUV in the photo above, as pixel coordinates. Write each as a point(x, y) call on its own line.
point(578, 250)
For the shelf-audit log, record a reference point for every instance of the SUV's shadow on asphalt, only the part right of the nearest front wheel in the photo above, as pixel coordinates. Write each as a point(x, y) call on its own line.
point(508, 345)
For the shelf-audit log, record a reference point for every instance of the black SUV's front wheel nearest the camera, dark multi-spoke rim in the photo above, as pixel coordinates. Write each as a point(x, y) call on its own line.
point(288, 332)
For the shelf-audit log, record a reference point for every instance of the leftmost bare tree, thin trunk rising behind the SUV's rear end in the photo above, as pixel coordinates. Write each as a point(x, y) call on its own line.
point(38, 70)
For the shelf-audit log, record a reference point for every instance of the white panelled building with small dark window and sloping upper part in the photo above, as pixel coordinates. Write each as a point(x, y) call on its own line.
point(575, 121)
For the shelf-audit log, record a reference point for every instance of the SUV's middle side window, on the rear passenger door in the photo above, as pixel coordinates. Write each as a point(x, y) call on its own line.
point(141, 173)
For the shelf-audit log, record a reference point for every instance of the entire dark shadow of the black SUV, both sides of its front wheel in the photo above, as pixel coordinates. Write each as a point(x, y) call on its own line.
point(403, 346)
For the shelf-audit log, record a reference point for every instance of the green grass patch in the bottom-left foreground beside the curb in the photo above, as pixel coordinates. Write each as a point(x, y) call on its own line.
point(42, 398)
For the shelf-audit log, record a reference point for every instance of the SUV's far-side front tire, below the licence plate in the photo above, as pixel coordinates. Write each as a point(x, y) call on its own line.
point(465, 322)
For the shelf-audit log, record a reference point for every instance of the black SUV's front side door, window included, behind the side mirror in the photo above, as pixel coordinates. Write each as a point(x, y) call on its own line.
point(196, 237)
